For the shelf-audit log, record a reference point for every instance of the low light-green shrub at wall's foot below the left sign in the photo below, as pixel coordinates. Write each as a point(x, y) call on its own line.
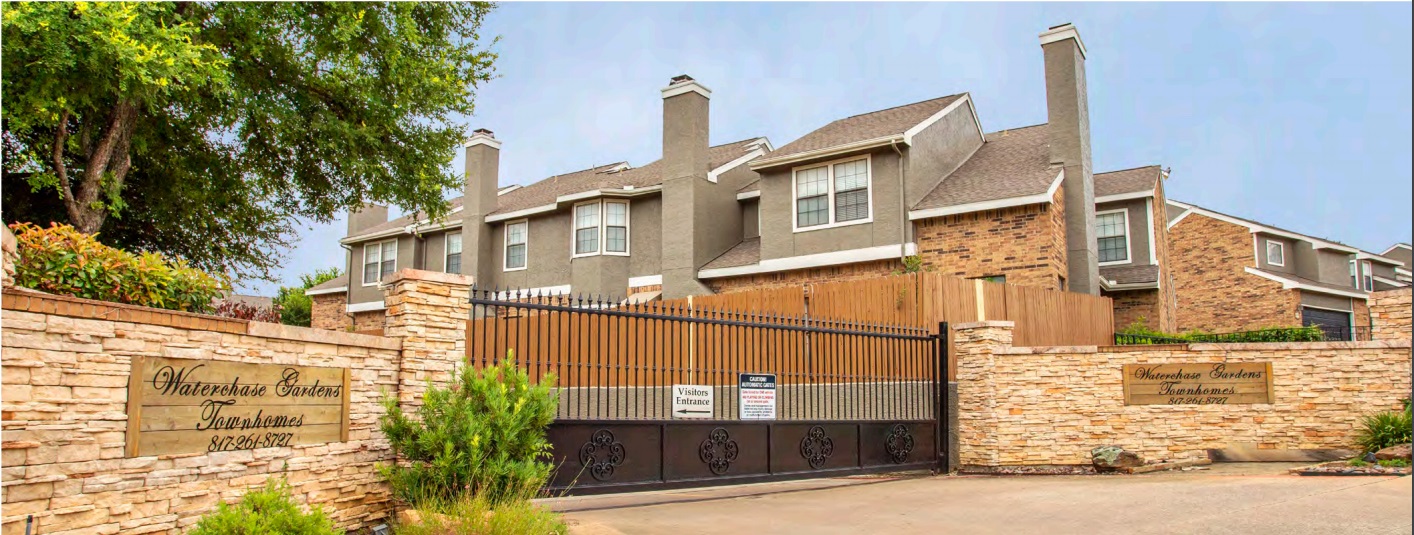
point(268, 510)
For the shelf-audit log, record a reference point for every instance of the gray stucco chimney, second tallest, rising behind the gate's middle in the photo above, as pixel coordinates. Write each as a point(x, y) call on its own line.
point(685, 186)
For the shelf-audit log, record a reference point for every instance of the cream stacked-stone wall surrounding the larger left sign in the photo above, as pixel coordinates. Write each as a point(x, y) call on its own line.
point(66, 376)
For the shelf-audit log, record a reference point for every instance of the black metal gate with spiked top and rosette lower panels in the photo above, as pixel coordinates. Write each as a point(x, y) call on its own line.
point(849, 398)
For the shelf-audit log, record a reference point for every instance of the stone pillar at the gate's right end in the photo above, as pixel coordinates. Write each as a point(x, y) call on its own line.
point(976, 346)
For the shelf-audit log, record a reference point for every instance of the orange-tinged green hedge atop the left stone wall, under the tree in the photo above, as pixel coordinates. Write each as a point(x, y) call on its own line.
point(62, 260)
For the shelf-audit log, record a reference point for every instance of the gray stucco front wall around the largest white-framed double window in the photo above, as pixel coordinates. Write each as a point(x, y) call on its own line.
point(778, 210)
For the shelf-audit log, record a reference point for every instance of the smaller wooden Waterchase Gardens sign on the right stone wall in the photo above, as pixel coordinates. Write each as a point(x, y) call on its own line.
point(1198, 384)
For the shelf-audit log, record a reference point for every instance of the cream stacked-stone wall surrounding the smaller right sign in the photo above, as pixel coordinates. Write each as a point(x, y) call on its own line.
point(1051, 405)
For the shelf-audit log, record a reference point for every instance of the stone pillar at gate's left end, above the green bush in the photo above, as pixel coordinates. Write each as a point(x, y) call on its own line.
point(429, 312)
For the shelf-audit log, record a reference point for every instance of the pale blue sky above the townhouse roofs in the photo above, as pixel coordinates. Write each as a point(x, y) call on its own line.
point(1297, 115)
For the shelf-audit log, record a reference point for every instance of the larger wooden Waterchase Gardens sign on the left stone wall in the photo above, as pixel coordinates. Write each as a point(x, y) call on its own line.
point(179, 405)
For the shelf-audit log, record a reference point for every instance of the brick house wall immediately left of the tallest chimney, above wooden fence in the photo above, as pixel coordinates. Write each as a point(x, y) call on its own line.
point(1026, 244)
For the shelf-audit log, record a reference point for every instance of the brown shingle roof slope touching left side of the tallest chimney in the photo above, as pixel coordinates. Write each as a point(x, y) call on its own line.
point(1013, 163)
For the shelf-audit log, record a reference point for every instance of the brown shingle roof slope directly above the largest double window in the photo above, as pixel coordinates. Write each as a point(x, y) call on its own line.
point(886, 122)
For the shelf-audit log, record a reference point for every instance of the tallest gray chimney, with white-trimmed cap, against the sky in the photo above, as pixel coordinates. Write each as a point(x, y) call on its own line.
point(1068, 132)
